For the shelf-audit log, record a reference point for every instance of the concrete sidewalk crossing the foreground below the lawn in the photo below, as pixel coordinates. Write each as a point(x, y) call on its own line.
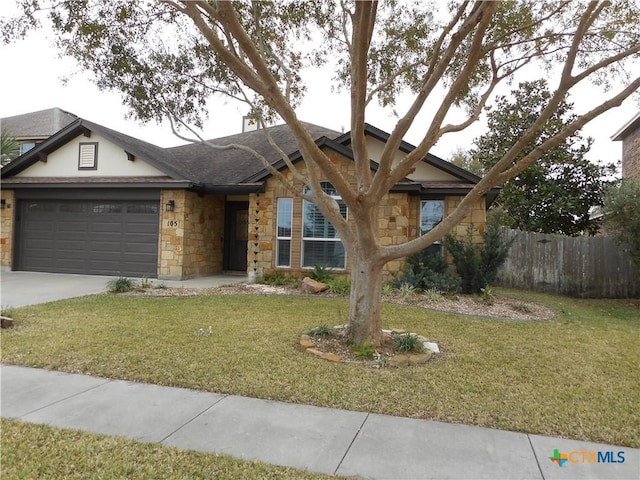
point(317, 439)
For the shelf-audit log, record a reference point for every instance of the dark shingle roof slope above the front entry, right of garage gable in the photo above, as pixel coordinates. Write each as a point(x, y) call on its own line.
point(208, 165)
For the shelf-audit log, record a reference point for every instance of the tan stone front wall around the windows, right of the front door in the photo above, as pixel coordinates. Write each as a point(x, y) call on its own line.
point(398, 222)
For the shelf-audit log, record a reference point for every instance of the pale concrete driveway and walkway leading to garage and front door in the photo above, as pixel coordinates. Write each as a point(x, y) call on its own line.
point(29, 288)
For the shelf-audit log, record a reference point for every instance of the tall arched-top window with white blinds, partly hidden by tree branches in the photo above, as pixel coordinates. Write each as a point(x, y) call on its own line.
point(321, 243)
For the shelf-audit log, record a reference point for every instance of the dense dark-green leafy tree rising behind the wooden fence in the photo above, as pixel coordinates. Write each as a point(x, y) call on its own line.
point(557, 193)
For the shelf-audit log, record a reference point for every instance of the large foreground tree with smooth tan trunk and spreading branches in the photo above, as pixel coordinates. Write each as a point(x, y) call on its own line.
point(168, 58)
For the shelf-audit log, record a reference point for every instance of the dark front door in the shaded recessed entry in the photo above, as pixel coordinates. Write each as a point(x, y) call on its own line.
point(236, 226)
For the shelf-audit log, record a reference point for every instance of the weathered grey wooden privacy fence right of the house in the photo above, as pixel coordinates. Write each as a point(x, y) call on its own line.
point(593, 267)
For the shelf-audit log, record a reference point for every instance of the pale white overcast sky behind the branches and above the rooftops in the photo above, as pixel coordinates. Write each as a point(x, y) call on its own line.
point(35, 82)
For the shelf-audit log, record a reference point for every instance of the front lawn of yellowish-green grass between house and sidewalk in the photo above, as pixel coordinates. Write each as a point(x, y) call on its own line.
point(574, 376)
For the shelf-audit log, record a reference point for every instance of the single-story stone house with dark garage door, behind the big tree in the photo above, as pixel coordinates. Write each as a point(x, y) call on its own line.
point(95, 201)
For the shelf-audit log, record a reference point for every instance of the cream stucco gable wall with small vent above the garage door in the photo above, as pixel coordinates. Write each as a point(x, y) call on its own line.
point(112, 162)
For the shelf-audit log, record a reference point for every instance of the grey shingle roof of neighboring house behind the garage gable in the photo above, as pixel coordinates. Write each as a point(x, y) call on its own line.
point(33, 128)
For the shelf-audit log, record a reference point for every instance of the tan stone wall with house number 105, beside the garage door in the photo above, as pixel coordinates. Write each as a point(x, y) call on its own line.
point(191, 237)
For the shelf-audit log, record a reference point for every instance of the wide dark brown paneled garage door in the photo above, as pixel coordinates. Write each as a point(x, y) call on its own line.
point(89, 237)
